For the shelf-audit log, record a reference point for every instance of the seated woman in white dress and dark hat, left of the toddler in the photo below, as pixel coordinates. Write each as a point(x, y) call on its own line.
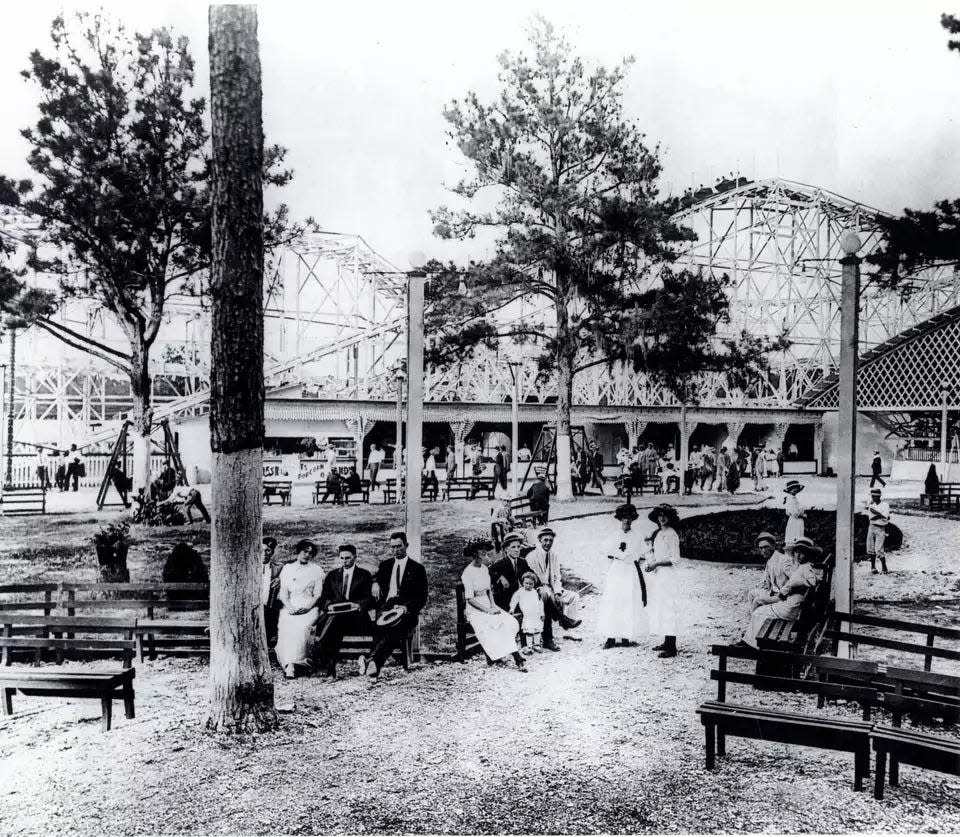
point(496, 629)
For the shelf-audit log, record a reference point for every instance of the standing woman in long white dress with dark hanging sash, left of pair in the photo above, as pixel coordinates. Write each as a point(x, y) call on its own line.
point(623, 613)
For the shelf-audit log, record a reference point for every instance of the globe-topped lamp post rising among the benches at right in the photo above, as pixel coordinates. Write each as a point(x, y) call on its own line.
point(847, 426)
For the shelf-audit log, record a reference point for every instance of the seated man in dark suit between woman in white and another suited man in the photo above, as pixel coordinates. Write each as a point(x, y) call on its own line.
point(347, 583)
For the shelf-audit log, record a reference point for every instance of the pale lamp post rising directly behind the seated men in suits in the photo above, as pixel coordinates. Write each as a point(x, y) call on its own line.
point(415, 283)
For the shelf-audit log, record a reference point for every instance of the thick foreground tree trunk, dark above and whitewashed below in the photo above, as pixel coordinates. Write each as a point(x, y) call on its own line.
point(241, 684)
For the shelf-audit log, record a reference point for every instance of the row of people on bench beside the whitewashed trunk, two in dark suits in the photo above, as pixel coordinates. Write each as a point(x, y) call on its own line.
point(298, 598)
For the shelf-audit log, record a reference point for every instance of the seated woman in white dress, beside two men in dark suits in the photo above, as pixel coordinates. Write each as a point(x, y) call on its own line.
point(301, 583)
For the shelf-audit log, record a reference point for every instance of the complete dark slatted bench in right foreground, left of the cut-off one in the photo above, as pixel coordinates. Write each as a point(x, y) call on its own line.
point(721, 719)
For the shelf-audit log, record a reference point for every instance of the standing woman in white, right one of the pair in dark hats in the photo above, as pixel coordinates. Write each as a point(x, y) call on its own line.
point(663, 580)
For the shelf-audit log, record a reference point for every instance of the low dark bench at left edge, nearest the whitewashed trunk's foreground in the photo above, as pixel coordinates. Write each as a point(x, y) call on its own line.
point(105, 685)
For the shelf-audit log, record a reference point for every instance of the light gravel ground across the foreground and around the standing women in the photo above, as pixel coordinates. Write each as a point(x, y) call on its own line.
point(589, 741)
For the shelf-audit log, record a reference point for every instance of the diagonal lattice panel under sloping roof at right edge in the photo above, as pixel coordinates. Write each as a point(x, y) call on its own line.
point(911, 372)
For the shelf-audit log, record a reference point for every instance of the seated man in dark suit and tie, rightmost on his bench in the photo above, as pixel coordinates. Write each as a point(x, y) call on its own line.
point(402, 582)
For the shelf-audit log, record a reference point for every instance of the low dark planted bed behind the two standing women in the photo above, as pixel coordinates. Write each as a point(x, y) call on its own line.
point(730, 536)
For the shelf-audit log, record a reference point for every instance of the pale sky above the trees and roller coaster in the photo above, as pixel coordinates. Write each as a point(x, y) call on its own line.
point(860, 98)
